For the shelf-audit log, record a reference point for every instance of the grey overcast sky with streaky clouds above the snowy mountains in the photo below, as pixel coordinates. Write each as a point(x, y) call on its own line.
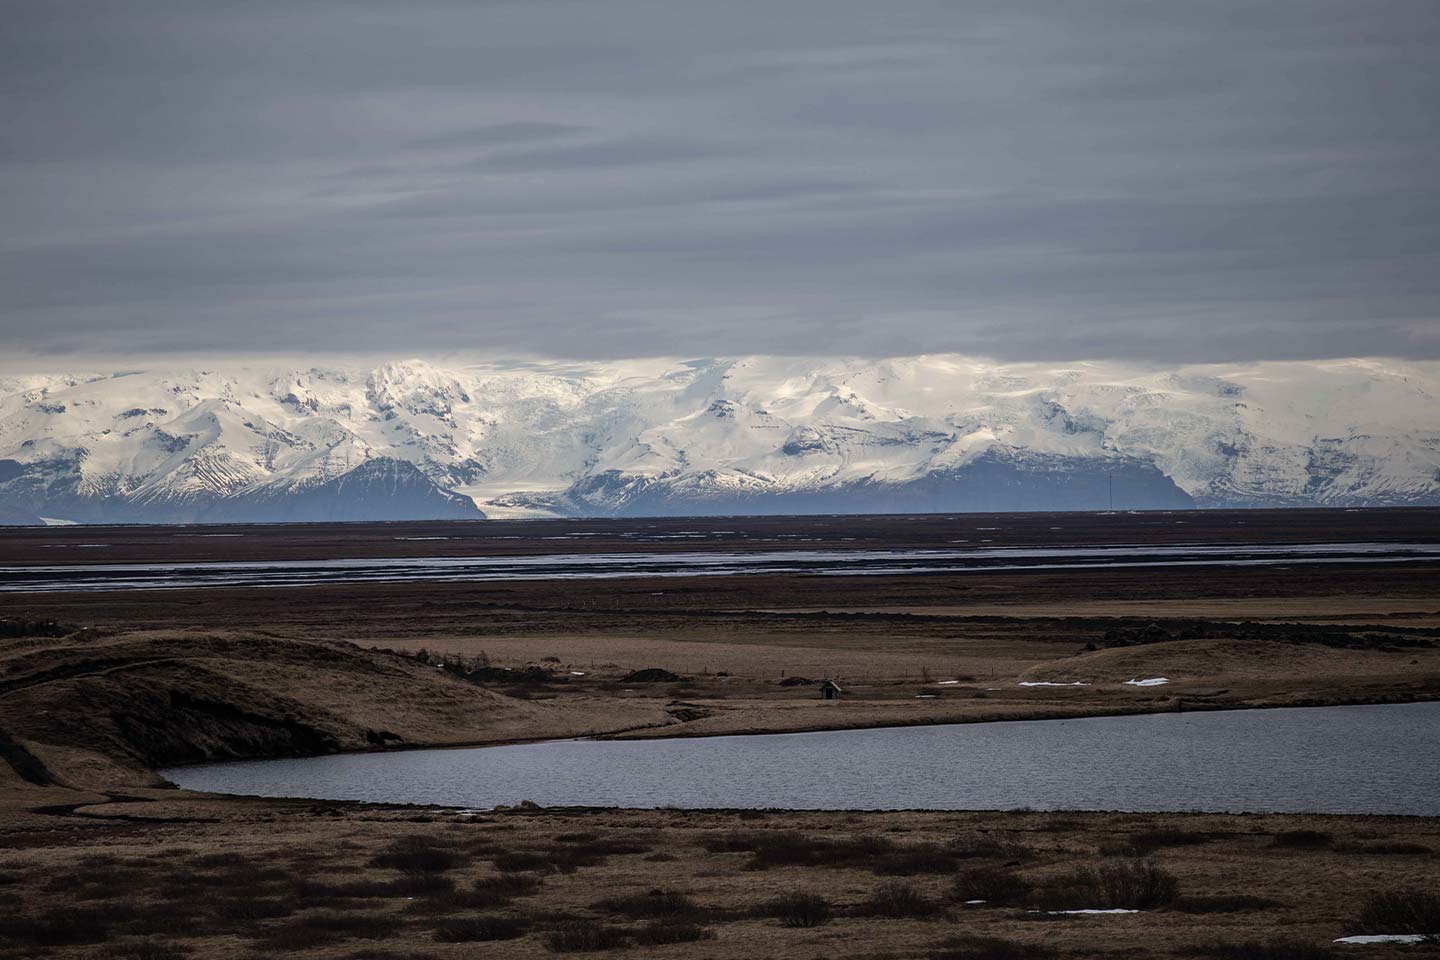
point(1148, 181)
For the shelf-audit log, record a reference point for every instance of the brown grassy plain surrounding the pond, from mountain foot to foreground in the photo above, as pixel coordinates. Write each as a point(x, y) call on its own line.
point(100, 859)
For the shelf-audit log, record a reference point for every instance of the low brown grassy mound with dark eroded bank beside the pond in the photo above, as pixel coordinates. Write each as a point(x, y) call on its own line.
point(100, 712)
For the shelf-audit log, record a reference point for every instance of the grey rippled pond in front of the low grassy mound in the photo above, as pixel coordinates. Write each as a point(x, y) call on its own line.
point(1326, 759)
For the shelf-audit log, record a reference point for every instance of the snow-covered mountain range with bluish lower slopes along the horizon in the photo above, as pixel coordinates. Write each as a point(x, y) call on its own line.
point(415, 440)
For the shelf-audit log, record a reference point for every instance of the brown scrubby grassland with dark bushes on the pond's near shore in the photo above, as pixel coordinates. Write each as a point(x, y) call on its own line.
point(165, 874)
